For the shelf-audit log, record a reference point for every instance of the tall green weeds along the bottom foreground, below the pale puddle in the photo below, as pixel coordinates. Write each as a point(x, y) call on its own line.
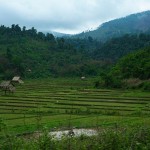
point(110, 139)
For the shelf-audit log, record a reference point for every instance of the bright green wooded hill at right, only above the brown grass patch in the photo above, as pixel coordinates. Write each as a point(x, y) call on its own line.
point(134, 65)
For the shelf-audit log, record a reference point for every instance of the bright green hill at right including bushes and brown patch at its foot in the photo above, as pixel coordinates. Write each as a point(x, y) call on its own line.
point(131, 71)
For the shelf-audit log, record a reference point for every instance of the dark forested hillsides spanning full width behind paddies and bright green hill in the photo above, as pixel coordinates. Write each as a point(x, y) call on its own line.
point(33, 54)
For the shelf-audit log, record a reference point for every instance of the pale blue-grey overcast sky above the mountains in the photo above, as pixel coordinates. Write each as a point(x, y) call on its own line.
point(67, 16)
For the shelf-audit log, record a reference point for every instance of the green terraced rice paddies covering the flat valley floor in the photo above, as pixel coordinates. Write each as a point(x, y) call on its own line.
point(59, 103)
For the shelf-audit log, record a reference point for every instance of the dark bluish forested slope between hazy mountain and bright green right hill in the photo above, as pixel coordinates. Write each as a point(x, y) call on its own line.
point(119, 47)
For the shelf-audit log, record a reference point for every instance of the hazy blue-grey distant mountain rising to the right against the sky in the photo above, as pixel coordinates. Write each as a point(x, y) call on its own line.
point(132, 24)
